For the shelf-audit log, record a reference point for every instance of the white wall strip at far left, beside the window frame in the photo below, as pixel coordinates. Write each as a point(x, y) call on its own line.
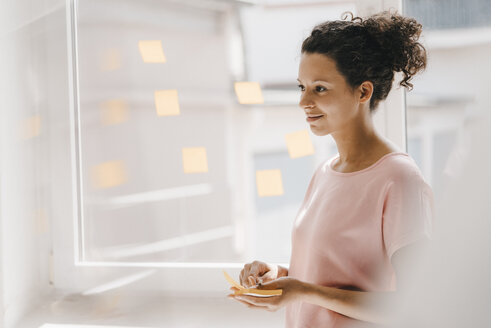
point(33, 92)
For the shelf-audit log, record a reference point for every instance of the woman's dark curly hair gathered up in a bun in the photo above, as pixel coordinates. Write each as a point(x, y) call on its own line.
point(371, 49)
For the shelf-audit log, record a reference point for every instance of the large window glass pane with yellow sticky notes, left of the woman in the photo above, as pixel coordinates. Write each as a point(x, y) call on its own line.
point(170, 156)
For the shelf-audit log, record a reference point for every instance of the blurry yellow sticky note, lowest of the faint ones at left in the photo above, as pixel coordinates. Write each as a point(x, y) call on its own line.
point(109, 174)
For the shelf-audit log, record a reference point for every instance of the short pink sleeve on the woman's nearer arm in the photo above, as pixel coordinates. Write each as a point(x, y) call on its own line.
point(408, 211)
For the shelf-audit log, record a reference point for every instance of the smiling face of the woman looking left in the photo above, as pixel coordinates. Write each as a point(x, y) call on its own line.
point(327, 100)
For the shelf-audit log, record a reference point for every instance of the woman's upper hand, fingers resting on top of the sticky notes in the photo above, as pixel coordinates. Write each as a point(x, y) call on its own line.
point(259, 272)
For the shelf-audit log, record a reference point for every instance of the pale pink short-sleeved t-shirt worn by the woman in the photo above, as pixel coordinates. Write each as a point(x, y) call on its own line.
point(348, 227)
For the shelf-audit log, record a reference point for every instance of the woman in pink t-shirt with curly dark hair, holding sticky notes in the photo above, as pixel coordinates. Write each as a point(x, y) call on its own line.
point(366, 210)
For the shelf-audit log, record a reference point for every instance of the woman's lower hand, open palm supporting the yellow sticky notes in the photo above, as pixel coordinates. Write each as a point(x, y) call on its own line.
point(293, 290)
